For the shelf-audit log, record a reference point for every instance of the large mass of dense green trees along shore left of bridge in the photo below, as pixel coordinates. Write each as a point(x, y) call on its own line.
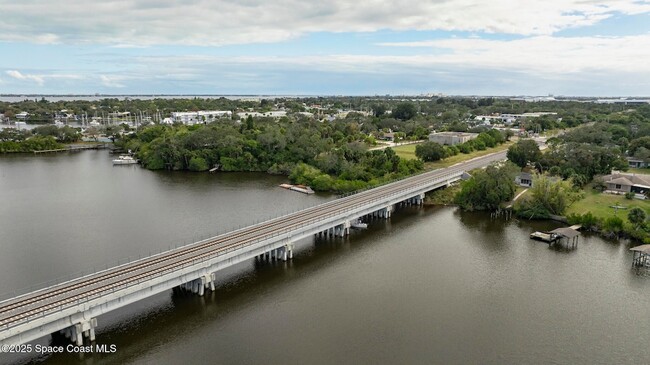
point(327, 156)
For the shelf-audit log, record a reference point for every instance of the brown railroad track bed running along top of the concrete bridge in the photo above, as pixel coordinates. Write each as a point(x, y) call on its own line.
point(61, 295)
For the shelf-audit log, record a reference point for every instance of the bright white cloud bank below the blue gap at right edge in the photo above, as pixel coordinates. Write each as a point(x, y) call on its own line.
point(543, 54)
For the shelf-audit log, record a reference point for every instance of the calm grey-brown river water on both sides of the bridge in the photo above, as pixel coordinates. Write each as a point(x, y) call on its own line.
point(429, 286)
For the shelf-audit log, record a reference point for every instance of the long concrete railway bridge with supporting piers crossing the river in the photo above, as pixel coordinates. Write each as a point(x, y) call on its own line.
point(72, 307)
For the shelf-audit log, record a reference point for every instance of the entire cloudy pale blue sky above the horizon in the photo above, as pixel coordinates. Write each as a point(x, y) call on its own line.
point(326, 47)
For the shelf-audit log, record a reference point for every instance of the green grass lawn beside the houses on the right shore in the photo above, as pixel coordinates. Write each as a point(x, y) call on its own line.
point(600, 205)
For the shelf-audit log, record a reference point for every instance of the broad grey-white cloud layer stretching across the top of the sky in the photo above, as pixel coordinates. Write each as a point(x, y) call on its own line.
point(220, 22)
